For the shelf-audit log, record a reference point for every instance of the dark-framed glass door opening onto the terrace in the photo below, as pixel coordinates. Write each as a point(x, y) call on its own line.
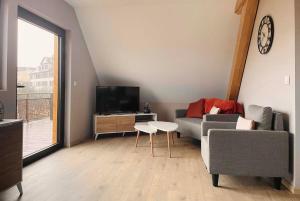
point(40, 85)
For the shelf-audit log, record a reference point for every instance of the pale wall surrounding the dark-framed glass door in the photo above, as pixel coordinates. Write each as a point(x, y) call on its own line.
point(79, 67)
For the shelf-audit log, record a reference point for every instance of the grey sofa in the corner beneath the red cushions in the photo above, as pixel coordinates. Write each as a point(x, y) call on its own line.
point(191, 127)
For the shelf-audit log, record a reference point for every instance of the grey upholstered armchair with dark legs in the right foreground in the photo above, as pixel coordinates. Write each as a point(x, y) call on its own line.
point(263, 152)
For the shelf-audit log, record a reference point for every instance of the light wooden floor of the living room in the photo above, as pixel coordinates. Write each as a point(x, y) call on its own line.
point(112, 169)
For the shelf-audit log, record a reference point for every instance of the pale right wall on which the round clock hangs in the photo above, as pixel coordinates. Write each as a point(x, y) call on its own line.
point(263, 81)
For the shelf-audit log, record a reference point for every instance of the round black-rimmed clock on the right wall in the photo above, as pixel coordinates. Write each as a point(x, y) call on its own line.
point(265, 34)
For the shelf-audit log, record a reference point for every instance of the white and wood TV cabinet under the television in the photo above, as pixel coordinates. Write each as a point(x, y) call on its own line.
point(119, 123)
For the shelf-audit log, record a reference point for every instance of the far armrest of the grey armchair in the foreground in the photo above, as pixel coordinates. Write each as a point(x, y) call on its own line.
point(206, 125)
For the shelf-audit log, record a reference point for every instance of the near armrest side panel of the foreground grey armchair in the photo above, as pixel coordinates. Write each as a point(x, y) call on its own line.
point(249, 153)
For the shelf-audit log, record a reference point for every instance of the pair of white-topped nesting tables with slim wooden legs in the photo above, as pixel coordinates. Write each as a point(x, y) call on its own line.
point(152, 127)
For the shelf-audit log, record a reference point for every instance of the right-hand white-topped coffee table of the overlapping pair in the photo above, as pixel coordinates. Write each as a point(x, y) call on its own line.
point(168, 127)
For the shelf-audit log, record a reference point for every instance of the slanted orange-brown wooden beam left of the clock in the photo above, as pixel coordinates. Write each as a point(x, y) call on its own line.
point(248, 9)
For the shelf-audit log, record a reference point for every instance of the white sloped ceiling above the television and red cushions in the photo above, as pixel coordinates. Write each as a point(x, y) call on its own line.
point(175, 50)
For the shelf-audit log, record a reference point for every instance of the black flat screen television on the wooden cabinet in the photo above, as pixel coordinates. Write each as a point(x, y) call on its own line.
point(114, 100)
